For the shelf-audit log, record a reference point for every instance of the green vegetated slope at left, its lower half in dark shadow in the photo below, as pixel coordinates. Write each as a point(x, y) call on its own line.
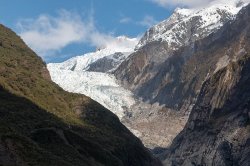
point(40, 124)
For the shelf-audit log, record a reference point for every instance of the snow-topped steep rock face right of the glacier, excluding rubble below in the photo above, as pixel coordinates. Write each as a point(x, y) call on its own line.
point(157, 71)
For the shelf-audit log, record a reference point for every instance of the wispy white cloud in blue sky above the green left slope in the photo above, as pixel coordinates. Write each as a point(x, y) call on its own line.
point(47, 35)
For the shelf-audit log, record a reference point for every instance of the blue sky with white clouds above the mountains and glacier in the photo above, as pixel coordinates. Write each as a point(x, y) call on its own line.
point(59, 29)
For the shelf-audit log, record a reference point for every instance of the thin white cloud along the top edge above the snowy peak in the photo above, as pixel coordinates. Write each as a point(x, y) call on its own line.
point(191, 3)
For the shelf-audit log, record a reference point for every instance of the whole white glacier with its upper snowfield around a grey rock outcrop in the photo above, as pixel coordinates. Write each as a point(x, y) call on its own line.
point(73, 76)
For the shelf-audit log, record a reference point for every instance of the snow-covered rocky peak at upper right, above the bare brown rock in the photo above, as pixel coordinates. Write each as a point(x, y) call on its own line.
point(187, 25)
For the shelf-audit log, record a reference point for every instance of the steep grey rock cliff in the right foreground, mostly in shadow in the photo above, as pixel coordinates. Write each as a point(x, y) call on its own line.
point(217, 136)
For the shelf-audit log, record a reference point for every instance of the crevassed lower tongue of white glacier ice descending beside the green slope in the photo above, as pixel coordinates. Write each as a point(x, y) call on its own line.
point(101, 87)
